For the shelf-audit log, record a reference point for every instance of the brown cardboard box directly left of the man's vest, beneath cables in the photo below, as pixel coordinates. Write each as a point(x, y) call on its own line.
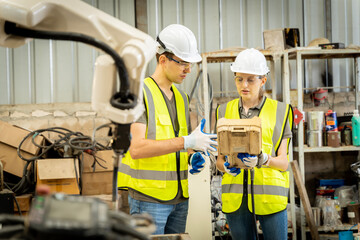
point(98, 180)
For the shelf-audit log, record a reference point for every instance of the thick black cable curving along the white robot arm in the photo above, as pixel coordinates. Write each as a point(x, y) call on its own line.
point(122, 99)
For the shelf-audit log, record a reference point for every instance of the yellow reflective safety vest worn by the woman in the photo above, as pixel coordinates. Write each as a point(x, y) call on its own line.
point(271, 186)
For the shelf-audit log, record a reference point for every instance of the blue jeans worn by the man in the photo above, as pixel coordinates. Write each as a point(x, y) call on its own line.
point(168, 218)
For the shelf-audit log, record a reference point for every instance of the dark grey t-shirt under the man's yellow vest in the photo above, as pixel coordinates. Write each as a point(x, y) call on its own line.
point(170, 103)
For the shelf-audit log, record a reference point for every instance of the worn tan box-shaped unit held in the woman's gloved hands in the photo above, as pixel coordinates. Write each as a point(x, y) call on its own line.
point(239, 136)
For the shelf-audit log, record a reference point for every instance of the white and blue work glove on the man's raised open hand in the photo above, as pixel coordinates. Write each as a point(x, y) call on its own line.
point(200, 141)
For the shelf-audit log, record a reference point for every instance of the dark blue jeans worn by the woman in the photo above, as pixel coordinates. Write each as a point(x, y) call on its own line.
point(241, 223)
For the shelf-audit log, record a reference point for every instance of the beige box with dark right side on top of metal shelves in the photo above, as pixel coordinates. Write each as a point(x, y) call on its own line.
point(281, 39)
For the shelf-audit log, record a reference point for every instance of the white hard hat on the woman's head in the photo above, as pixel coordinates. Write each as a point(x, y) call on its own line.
point(250, 61)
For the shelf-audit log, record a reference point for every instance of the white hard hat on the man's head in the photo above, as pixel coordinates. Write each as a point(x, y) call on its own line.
point(180, 41)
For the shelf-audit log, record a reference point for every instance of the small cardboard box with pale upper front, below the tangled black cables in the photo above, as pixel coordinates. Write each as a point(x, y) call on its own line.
point(59, 174)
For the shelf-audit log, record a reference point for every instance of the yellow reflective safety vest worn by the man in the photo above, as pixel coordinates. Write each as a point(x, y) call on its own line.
point(158, 176)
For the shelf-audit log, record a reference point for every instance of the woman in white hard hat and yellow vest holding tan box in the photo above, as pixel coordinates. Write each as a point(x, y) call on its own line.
point(269, 171)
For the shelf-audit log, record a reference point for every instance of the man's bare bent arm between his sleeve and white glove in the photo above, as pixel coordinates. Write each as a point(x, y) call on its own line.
point(141, 147)
